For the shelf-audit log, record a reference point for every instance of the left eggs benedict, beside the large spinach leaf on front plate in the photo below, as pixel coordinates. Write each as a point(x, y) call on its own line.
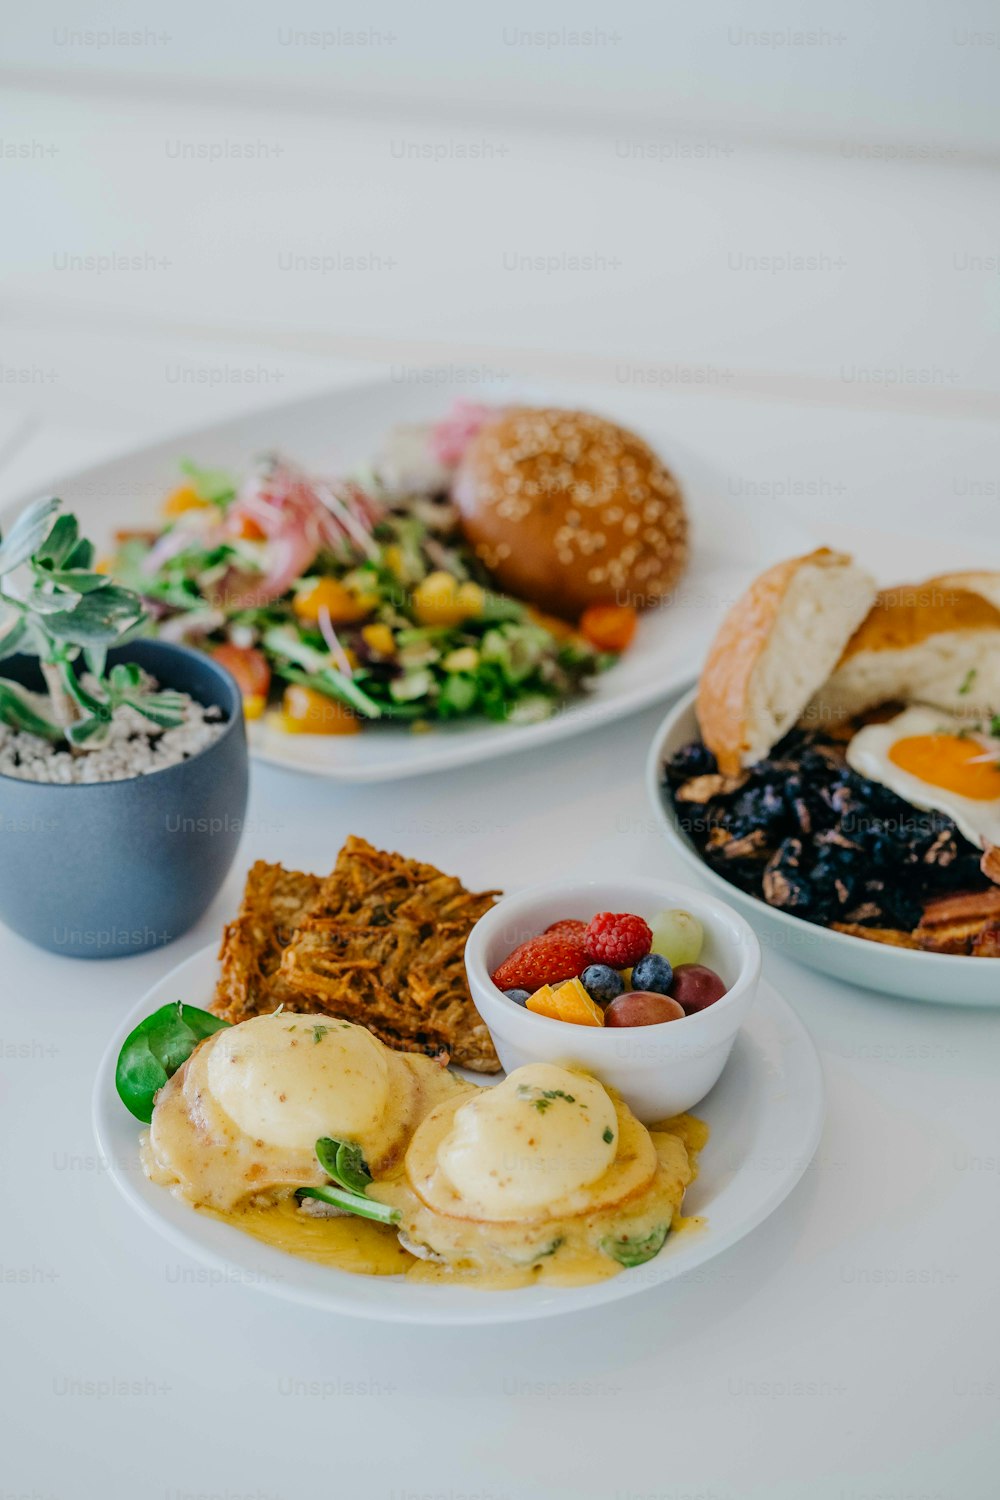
point(244, 1115)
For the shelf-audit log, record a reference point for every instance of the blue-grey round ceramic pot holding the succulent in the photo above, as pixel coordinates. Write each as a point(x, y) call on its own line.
point(118, 868)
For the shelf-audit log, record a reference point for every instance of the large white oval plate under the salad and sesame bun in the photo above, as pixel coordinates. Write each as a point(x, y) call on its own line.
point(337, 433)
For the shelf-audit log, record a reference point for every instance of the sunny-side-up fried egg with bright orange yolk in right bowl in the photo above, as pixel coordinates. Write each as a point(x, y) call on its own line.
point(924, 758)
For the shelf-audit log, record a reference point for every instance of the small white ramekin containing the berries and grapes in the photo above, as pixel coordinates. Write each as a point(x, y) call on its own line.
point(659, 1070)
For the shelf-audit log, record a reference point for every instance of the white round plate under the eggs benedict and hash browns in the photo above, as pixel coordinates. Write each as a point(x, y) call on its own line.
point(765, 1115)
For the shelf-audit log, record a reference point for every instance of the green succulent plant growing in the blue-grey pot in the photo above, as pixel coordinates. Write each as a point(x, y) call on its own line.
point(56, 605)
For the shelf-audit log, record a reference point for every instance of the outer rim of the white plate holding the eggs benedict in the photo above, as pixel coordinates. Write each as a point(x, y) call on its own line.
point(470, 1307)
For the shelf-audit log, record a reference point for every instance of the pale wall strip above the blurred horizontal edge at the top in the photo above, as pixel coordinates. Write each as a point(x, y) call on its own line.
point(854, 73)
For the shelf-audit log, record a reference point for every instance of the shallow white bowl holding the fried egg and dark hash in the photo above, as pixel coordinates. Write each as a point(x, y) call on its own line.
point(936, 977)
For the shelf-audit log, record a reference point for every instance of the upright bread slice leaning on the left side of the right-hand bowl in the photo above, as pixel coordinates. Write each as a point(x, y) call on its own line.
point(774, 650)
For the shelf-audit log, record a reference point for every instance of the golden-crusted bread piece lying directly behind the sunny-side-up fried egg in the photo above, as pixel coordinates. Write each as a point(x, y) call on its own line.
point(929, 643)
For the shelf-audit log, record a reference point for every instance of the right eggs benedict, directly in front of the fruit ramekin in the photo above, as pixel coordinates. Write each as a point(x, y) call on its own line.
point(545, 1175)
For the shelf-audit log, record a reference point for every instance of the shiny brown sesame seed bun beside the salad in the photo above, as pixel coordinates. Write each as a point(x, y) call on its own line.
point(569, 511)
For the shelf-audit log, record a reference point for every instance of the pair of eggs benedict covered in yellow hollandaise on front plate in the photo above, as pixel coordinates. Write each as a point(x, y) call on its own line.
point(308, 1133)
